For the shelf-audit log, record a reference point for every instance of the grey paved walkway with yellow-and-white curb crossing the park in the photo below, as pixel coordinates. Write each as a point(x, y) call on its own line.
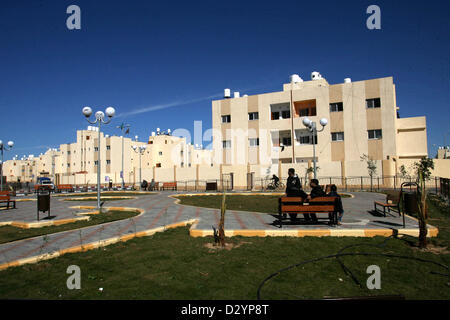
point(161, 211)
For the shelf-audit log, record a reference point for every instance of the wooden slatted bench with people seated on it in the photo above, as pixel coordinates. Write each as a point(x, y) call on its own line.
point(297, 205)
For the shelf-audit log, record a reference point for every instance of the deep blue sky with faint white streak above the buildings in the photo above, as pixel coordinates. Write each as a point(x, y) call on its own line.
point(170, 58)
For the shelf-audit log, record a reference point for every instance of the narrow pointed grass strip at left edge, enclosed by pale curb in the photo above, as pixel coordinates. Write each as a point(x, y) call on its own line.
point(10, 233)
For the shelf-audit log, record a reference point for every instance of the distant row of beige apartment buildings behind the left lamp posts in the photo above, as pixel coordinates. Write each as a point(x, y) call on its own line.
point(76, 163)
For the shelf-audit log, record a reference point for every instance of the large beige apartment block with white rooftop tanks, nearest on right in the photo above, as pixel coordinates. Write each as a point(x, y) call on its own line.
point(363, 119)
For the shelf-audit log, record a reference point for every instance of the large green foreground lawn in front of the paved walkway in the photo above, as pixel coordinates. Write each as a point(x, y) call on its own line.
point(172, 265)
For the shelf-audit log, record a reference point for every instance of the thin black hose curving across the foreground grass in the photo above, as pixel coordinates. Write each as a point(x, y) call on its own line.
point(346, 269)
